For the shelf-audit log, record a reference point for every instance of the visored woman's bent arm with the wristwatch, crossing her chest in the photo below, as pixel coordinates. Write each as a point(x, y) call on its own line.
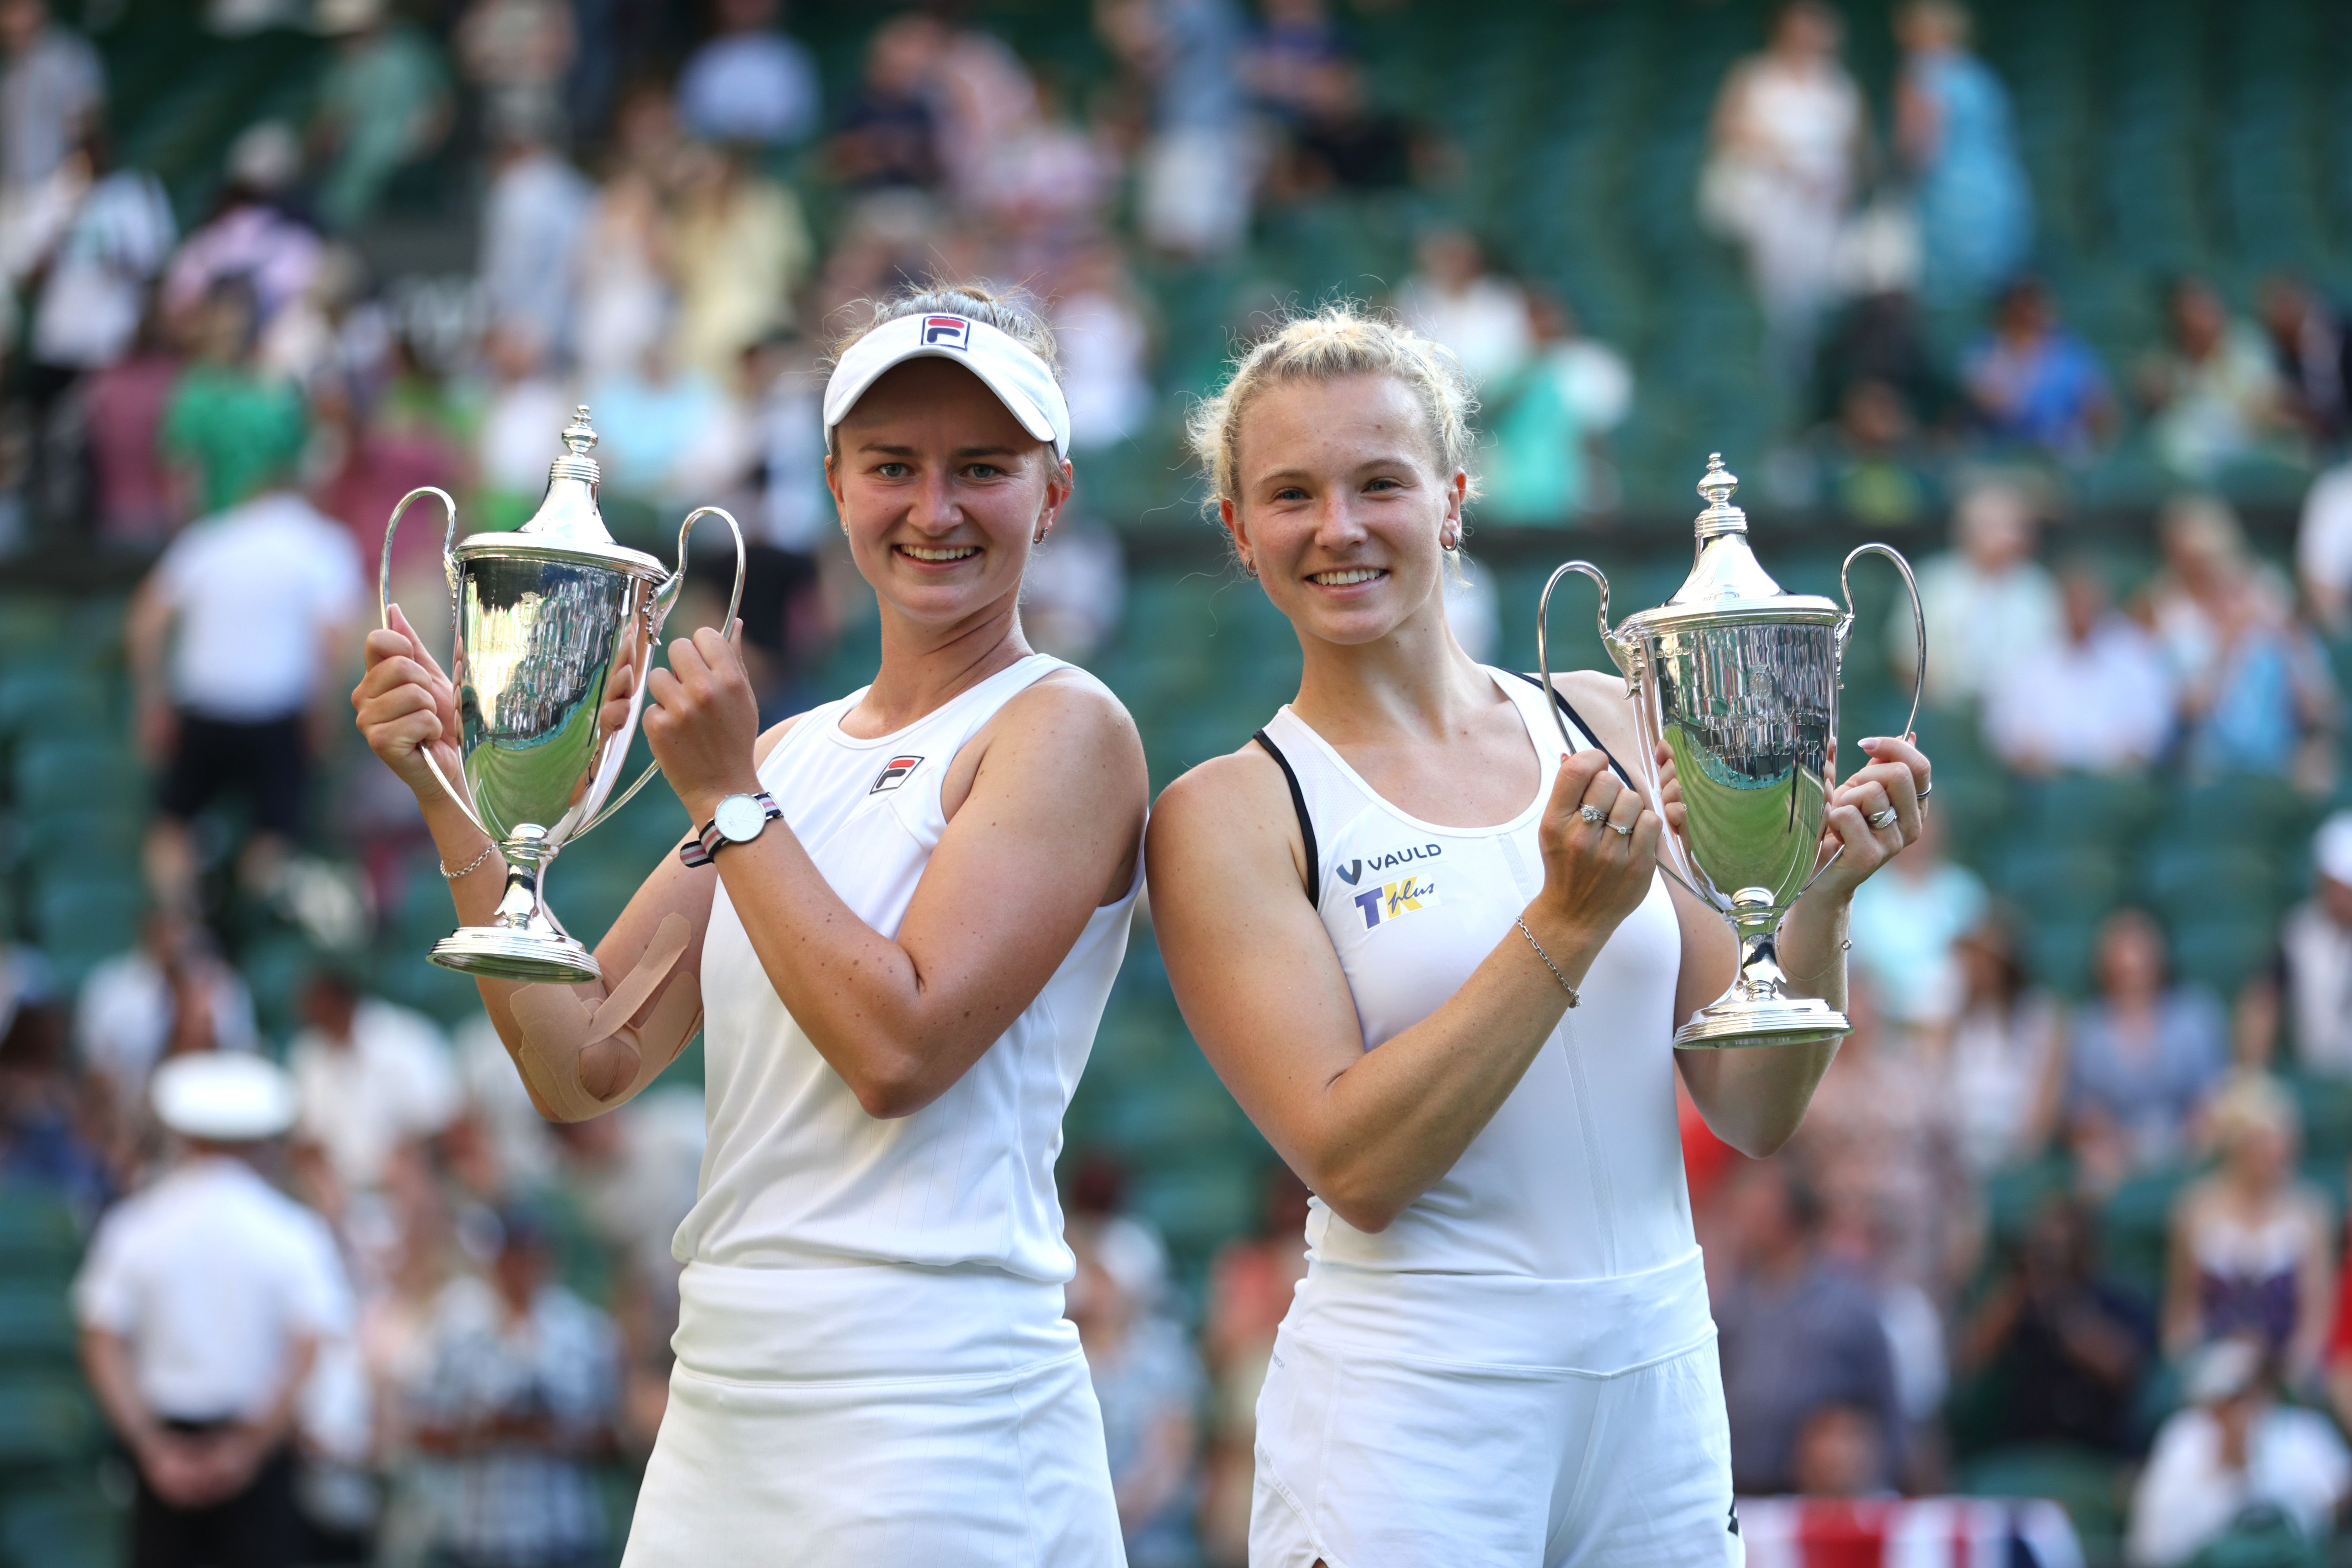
point(1045, 817)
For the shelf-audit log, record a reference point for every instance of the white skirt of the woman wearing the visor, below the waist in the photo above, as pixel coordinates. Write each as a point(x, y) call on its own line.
point(876, 1419)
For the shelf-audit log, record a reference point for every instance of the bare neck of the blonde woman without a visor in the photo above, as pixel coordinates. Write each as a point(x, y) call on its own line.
point(1417, 683)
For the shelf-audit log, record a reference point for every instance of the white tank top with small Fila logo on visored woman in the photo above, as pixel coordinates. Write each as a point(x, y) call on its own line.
point(796, 1174)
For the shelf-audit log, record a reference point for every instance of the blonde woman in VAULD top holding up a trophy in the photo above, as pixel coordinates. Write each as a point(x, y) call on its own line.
point(1464, 1036)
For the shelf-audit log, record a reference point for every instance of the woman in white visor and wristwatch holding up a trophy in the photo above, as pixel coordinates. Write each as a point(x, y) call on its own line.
point(897, 923)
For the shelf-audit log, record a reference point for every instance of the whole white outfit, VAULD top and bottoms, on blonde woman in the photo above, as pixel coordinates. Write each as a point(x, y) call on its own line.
point(1521, 1369)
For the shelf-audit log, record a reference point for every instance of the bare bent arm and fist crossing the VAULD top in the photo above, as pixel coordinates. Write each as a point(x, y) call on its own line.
point(1267, 998)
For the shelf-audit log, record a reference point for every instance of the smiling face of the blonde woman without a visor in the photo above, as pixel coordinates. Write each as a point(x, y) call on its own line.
point(1339, 504)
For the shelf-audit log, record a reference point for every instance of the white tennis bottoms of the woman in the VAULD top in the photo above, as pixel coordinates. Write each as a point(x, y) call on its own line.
point(1495, 1423)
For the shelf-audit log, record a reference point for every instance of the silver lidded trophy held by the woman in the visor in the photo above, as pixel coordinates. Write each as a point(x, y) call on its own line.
point(556, 631)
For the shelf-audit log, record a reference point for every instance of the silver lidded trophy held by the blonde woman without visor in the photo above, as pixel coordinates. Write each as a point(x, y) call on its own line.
point(1739, 683)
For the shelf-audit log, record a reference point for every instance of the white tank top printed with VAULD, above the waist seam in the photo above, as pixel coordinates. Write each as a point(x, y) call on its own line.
point(1579, 1174)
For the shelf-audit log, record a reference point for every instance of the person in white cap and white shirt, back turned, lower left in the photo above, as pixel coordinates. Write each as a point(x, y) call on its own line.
point(203, 1306)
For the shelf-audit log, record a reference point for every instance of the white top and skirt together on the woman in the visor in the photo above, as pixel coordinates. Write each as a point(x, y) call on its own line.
point(874, 1369)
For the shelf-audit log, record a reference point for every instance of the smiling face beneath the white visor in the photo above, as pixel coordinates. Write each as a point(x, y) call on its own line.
point(942, 492)
